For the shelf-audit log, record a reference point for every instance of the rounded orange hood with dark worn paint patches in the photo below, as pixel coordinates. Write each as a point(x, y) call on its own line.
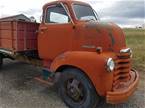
point(99, 34)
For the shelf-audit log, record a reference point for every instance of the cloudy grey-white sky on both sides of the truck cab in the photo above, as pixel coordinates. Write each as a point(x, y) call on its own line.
point(126, 13)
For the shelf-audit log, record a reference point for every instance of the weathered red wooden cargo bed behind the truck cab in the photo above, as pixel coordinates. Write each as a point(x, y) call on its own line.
point(18, 36)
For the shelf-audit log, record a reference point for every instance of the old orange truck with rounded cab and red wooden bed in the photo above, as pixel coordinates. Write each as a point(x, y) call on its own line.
point(87, 59)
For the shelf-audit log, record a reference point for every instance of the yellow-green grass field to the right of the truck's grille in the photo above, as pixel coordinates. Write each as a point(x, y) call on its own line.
point(136, 41)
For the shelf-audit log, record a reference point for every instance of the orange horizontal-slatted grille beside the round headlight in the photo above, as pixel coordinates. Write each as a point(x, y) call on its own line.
point(122, 70)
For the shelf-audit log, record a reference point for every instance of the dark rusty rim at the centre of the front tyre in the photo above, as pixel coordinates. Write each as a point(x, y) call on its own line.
point(75, 90)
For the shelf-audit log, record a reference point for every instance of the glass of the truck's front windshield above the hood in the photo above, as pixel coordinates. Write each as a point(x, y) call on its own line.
point(84, 12)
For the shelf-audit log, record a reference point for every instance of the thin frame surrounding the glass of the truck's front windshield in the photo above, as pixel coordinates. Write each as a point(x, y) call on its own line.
point(72, 5)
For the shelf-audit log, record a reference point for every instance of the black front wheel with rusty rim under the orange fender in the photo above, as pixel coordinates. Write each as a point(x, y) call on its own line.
point(76, 90)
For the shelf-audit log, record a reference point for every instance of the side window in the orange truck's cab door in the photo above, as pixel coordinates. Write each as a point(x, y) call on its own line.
point(56, 14)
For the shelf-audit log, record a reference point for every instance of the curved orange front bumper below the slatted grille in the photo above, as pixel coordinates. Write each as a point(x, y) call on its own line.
point(125, 91)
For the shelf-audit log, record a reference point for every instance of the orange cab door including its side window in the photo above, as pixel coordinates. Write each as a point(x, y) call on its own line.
point(56, 32)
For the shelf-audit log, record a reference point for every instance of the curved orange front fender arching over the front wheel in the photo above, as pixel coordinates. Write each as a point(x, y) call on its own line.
point(92, 64)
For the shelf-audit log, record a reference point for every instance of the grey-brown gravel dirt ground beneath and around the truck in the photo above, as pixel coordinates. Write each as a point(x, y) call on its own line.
point(18, 89)
